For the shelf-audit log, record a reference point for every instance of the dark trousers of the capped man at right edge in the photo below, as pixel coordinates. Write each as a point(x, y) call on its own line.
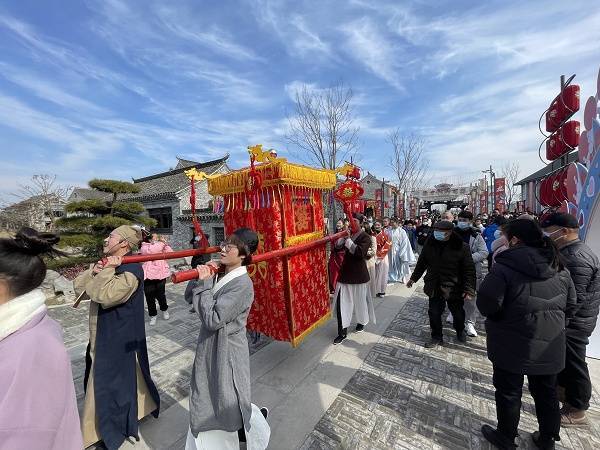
point(575, 378)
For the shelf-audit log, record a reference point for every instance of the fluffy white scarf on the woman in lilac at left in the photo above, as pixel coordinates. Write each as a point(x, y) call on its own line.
point(17, 312)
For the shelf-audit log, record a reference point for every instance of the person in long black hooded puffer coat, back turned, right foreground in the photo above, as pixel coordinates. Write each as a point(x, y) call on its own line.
point(527, 298)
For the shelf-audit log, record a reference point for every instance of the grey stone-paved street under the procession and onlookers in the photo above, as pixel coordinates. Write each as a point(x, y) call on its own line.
point(378, 390)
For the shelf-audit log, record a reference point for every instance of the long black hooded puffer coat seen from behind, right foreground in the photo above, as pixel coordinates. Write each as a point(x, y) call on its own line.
point(527, 303)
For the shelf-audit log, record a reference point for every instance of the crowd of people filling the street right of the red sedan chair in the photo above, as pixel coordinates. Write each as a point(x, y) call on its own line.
point(539, 298)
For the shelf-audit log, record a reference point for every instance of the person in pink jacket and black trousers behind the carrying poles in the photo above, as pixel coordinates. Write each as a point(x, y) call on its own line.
point(155, 276)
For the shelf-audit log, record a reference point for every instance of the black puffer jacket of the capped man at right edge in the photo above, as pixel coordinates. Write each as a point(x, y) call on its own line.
point(583, 266)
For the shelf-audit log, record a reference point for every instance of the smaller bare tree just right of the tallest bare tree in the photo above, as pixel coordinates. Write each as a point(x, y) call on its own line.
point(408, 161)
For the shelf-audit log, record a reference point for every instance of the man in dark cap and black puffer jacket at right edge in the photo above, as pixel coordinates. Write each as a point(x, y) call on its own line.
point(575, 386)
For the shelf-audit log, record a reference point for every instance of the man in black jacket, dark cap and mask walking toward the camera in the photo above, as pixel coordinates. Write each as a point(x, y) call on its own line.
point(450, 279)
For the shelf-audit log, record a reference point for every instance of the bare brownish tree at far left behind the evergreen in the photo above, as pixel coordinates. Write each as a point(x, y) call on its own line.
point(42, 198)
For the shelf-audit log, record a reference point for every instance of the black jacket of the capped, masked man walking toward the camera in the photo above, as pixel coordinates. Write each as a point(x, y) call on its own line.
point(450, 268)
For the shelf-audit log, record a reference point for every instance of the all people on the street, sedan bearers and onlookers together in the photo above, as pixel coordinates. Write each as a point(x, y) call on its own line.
point(533, 281)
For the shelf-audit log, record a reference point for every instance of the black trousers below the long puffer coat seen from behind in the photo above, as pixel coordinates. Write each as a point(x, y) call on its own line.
point(509, 388)
